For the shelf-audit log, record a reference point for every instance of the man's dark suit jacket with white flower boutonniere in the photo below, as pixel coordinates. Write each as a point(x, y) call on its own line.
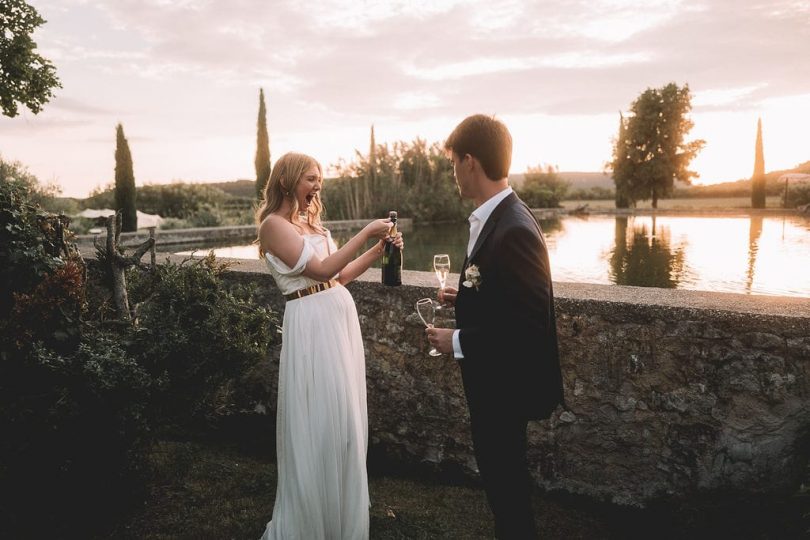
point(508, 332)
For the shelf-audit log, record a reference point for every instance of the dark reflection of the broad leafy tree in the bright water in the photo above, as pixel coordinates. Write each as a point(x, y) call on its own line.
point(647, 258)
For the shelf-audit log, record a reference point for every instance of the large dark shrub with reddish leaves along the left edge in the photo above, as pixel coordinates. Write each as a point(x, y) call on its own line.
point(70, 399)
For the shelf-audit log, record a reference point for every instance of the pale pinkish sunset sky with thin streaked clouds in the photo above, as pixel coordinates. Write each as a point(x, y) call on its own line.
point(183, 76)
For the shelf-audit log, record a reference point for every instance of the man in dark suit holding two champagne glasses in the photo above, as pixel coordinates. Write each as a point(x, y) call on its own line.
point(505, 339)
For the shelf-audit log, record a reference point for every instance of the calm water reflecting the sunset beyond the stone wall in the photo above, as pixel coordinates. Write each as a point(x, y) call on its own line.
point(767, 255)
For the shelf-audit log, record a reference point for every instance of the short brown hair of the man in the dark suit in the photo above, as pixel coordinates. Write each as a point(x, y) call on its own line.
point(486, 139)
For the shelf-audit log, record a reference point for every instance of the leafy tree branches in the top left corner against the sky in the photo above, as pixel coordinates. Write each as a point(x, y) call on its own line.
point(26, 78)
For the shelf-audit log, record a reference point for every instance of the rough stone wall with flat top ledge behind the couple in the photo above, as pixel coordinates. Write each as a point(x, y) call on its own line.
point(669, 393)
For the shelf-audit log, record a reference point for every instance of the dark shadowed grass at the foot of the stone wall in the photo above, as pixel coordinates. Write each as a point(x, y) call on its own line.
point(204, 490)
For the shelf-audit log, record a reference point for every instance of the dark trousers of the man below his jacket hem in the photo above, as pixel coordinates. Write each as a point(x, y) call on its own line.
point(500, 450)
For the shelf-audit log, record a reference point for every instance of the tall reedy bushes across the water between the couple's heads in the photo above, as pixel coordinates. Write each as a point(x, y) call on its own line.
point(413, 178)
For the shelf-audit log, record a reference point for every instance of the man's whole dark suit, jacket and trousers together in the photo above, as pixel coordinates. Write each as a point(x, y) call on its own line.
point(510, 369)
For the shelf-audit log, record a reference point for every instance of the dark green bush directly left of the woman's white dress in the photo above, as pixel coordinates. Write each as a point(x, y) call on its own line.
point(193, 334)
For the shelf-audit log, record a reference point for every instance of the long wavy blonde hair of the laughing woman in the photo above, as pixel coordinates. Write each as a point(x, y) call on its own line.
point(287, 173)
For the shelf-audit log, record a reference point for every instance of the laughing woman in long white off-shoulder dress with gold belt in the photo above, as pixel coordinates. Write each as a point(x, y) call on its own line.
point(322, 425)
